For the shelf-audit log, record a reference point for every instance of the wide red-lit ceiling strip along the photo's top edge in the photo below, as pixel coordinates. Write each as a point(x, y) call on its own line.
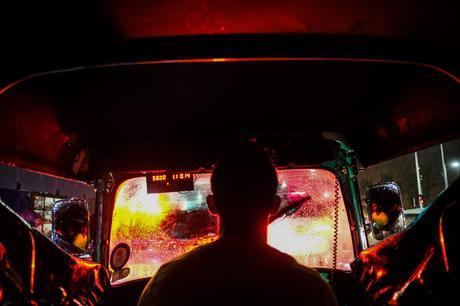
point(192, 17)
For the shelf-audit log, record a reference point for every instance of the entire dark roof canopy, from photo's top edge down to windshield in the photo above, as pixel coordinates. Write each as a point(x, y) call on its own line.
point(106, 115)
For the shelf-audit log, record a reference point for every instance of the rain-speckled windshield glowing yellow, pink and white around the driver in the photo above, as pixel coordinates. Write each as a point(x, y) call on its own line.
point(158, 227)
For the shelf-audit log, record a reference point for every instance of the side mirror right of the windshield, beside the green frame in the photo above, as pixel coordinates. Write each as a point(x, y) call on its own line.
point(385, 209)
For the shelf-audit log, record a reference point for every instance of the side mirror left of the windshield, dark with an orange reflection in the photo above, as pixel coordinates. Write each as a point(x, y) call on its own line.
point(70, 228)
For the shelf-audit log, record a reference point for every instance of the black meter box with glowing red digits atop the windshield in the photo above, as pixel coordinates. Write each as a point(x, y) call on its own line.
point(169, 182)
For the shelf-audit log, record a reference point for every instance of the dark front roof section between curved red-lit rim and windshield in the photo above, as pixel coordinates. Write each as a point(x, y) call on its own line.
point(178, 113)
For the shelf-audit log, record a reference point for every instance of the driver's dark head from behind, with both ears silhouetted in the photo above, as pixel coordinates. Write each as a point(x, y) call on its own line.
point(244, 184)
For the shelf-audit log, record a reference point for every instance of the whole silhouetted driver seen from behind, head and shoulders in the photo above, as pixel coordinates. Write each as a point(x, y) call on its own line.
point(239, 268)
